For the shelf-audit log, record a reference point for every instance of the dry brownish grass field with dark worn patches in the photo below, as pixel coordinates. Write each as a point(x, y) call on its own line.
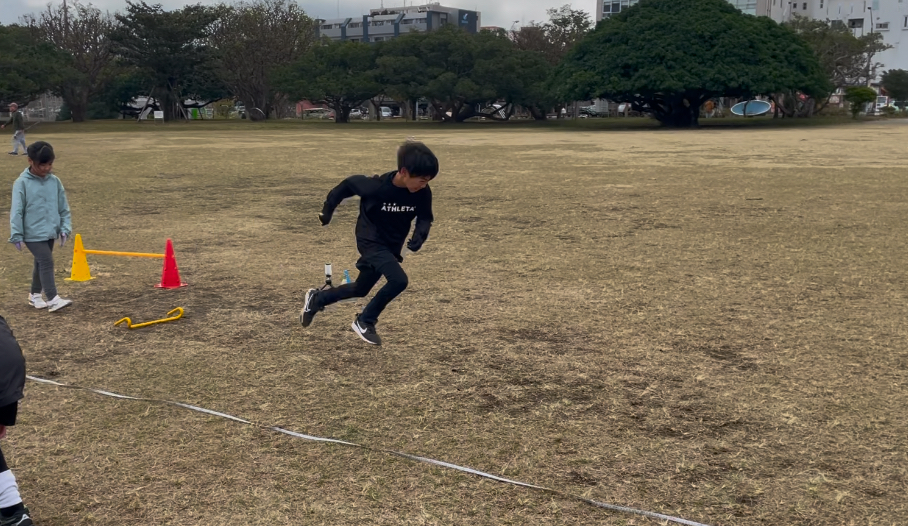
point(708, 324)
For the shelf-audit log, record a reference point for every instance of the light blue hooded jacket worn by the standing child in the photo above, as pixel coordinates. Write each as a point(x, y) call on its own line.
point(39, 210)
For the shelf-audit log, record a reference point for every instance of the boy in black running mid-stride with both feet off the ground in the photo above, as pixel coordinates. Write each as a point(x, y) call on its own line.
point(388, 204)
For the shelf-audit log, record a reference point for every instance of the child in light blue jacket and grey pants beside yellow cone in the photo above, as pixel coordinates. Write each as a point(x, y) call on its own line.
point(39, 215)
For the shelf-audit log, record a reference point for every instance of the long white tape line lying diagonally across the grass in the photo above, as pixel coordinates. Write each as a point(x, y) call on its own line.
point(408, 456)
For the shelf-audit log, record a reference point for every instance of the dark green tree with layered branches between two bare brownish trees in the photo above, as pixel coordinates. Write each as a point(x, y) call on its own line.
point(170, 50)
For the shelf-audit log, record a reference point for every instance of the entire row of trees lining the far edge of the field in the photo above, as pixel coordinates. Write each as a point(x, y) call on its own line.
point(664, 57)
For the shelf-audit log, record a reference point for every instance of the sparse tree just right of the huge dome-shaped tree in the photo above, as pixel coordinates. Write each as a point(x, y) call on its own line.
point(845, 59)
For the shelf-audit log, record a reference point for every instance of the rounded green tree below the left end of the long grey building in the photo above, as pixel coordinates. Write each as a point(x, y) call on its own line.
point(339, 74)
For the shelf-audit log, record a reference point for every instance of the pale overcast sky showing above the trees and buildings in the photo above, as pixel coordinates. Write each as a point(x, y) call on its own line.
point(502, 13)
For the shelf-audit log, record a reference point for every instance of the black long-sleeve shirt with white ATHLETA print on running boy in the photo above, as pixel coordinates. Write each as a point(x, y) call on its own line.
point(386, 212)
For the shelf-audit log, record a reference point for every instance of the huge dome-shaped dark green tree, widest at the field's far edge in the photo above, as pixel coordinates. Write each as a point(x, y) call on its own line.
point(667, 58)
